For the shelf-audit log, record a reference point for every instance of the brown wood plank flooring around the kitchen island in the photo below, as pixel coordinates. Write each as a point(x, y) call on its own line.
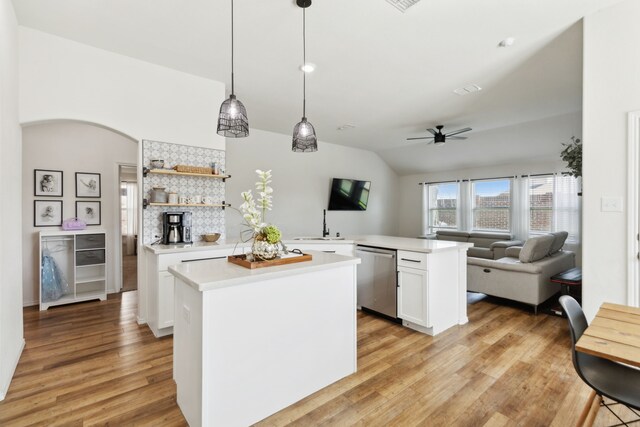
point(92, 364)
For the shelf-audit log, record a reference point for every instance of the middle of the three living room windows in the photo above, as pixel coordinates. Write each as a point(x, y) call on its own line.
point(491, 205)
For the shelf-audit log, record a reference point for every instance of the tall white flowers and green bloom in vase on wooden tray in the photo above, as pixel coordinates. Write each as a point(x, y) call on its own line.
point(267, 244)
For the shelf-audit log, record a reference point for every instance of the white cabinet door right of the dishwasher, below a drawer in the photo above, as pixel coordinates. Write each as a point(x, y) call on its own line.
point(413, 295)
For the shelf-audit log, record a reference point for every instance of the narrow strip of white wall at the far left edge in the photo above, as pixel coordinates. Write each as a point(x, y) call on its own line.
point(11, 331)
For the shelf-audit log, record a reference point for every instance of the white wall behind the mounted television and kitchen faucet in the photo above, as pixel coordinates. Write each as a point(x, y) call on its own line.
point(302, 181)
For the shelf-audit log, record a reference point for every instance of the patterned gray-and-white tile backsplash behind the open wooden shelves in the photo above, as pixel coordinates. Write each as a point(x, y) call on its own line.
point(204, 219)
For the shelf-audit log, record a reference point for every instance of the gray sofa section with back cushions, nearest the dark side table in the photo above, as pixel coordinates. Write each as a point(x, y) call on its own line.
point(524, 273)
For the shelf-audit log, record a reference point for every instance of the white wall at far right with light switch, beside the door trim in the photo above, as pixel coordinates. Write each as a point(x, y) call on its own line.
point(611, 90)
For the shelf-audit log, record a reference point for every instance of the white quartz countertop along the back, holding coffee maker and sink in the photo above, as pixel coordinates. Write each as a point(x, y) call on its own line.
point(387, 242)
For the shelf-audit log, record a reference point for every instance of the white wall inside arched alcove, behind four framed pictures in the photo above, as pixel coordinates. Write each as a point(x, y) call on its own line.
point(72, 147)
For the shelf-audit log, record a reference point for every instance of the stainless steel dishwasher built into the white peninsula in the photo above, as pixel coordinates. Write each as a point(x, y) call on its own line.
point(377, 277)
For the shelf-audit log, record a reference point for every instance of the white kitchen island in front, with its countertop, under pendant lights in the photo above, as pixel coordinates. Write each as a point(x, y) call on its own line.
point(248, 343)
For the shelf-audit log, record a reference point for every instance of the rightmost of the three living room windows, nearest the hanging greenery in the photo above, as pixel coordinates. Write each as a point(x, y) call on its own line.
point(541, 204)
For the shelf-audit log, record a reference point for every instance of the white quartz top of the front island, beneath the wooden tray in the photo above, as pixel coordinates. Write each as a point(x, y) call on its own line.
point(220, 273)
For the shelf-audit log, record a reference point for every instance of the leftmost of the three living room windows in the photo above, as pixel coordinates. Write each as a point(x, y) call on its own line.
point(442, 205)
